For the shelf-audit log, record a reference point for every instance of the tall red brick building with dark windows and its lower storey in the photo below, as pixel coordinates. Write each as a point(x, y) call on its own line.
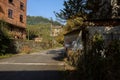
point(14, 13)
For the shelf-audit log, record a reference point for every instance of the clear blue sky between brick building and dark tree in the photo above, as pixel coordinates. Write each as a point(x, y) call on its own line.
point(44, 8)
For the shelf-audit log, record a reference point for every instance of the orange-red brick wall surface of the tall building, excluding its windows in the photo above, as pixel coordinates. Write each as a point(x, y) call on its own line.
point(5, 5)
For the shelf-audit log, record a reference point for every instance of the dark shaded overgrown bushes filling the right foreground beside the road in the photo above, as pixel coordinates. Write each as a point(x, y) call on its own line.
point(98, 63)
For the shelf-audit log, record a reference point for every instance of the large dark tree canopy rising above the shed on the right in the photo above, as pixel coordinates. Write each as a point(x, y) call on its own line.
point(93, 9)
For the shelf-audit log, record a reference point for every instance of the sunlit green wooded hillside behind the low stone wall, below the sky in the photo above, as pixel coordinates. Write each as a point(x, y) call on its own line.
point(39, 27)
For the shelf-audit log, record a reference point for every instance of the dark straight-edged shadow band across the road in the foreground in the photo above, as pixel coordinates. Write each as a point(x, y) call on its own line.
point(31, 75)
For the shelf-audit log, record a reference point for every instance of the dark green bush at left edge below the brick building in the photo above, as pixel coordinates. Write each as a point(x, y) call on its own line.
point(6, 44)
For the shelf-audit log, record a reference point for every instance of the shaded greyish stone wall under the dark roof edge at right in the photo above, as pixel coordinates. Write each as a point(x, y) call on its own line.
point(107, 32)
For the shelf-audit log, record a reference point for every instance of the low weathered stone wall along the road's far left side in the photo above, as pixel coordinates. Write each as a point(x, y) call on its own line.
point(25, 46)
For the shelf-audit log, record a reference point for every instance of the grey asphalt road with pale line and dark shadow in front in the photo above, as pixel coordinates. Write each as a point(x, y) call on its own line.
point(46, 65)
